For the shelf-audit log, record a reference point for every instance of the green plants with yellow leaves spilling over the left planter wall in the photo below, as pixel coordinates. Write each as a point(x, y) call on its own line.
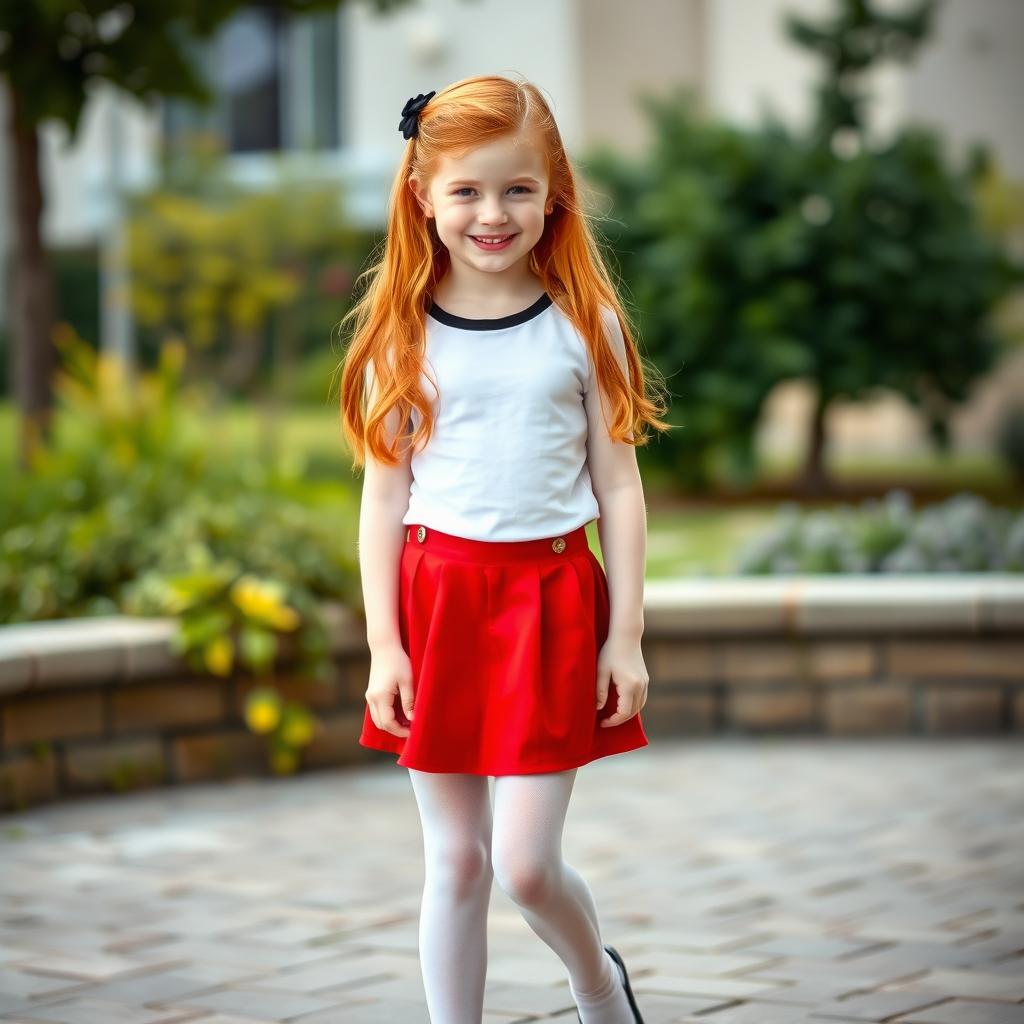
point(135, 508)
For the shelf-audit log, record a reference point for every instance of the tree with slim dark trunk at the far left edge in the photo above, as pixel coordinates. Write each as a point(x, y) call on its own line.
point(52, 52)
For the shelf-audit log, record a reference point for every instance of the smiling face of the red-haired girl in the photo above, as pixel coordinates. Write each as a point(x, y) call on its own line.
point(499, 190)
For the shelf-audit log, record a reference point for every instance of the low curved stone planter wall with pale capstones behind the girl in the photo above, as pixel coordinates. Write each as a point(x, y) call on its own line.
point(99, 705)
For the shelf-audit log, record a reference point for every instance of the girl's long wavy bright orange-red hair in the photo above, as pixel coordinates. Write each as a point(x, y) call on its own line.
point(390, 318)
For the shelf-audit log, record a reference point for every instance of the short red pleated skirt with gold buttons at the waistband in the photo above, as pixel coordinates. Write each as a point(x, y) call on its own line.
point(503, 637)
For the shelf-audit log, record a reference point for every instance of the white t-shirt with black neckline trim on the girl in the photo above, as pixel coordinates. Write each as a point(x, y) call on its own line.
point(507, 460)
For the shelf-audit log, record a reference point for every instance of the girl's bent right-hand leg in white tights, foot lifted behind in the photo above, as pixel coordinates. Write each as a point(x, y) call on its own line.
point(554, 900)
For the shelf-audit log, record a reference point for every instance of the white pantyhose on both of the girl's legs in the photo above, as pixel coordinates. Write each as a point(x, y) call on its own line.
point(466, 846)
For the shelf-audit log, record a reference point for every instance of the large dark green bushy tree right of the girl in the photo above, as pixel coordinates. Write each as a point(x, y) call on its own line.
point(756, 257)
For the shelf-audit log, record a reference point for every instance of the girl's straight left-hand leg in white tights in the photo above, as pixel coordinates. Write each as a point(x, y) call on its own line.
point(455, 813)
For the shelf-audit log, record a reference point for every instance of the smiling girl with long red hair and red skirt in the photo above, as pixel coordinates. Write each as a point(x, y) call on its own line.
point(499, 648)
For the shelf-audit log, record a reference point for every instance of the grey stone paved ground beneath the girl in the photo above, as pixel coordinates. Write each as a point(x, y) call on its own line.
point(746, 882)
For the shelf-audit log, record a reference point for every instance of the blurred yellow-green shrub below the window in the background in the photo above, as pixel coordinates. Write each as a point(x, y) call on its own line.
point(253, 280)
